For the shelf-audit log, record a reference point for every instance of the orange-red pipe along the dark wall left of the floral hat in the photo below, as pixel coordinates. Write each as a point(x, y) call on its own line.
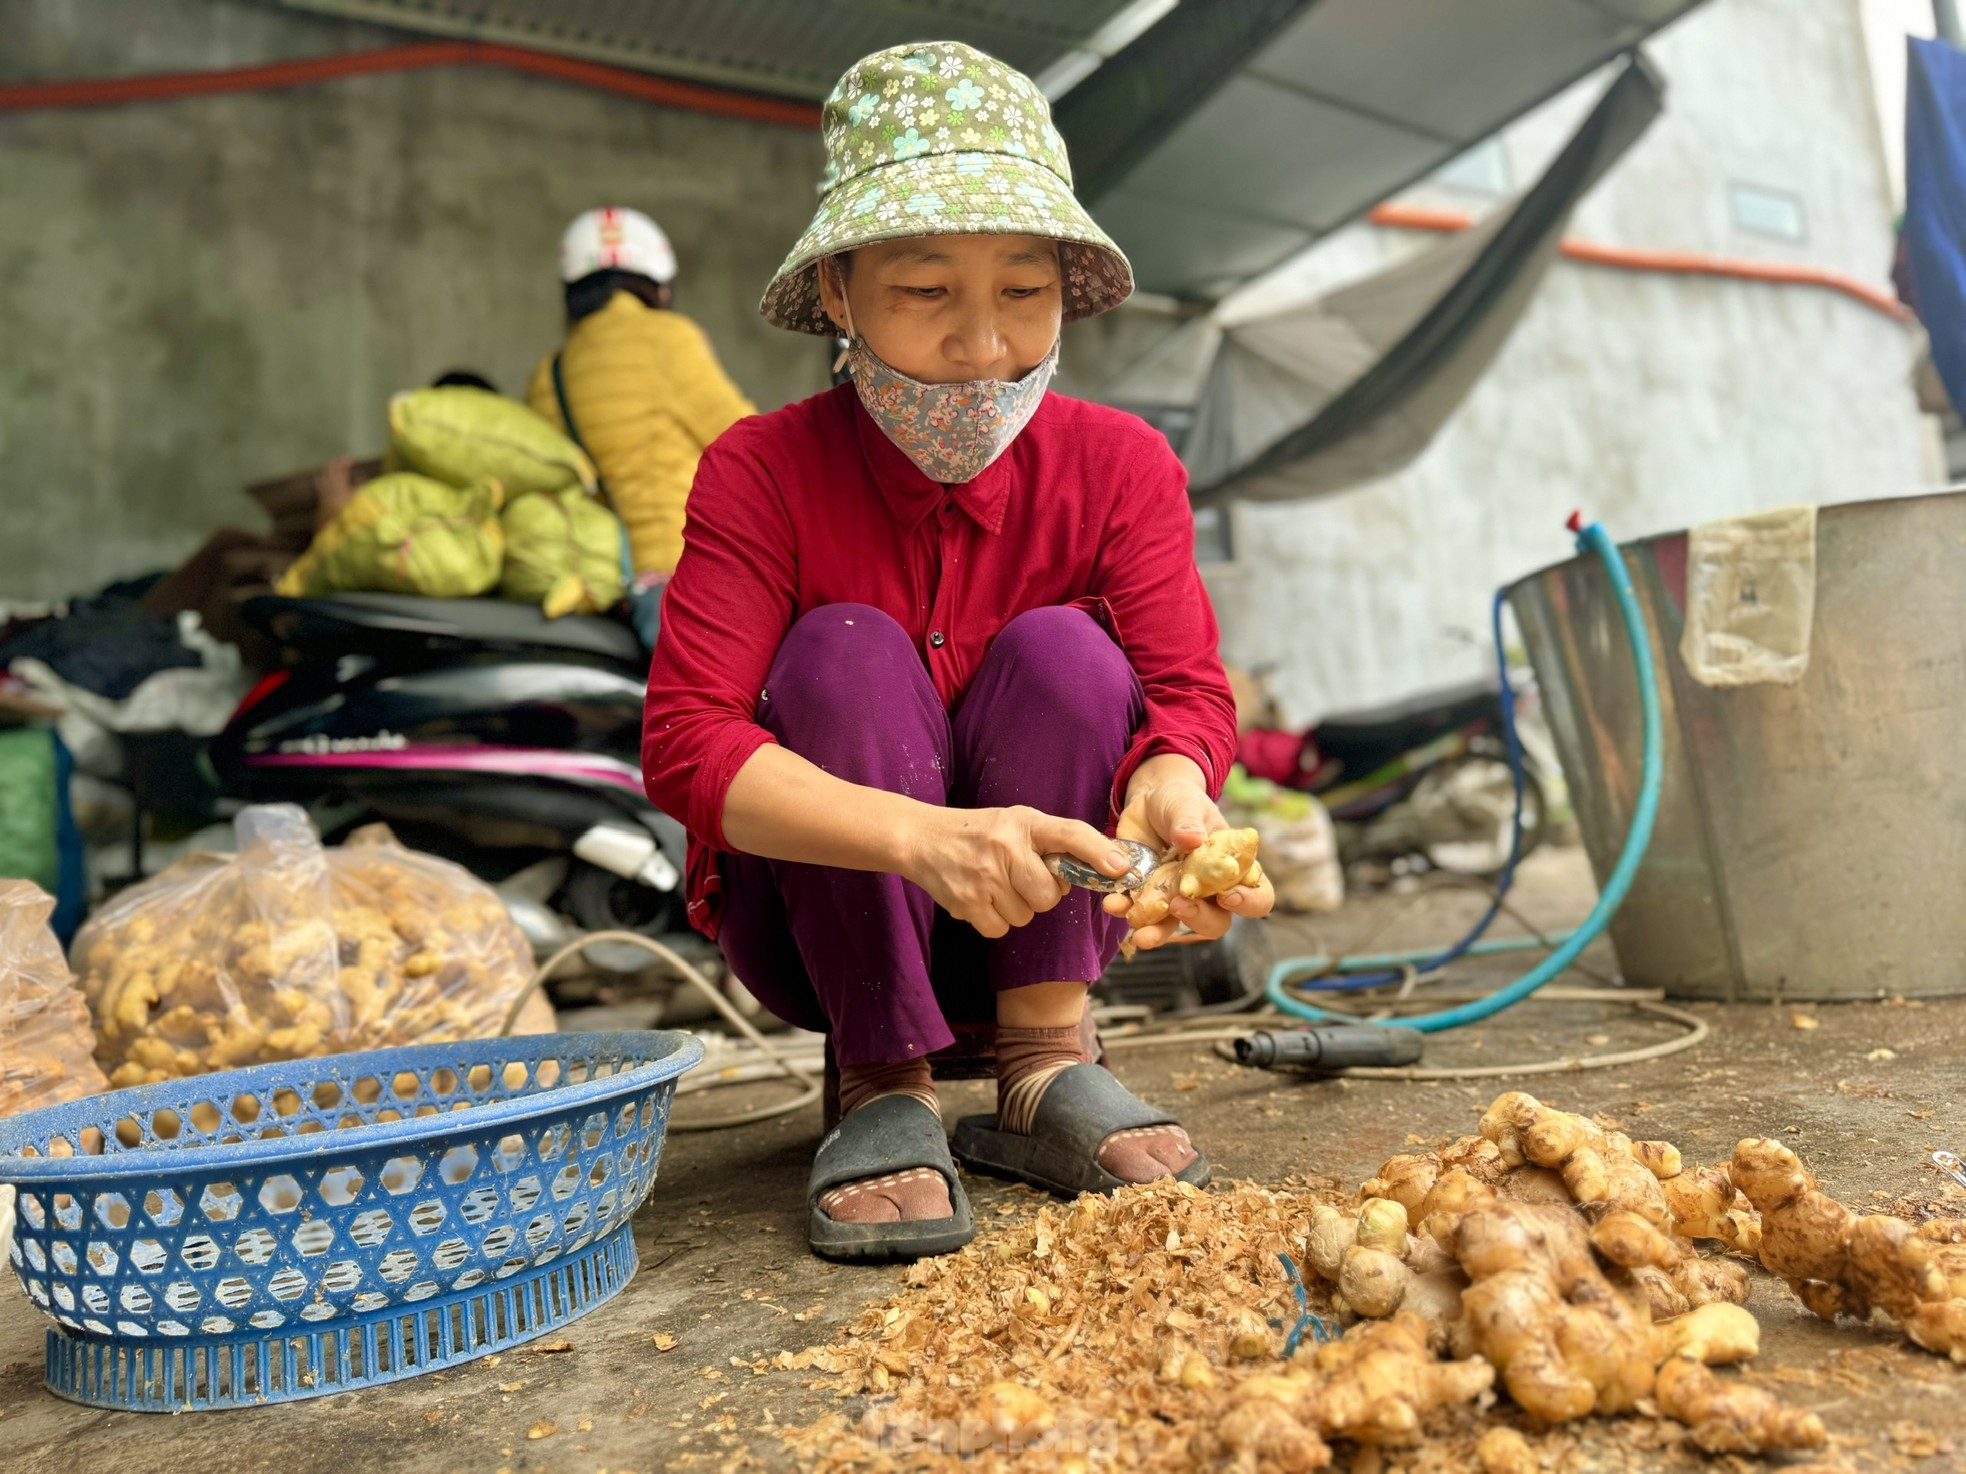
point(158, 87)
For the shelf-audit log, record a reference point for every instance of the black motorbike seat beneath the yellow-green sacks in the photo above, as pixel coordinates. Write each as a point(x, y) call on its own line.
point(341, 618)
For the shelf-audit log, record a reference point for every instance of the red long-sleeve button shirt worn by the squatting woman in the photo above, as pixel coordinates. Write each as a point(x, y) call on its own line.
point(817, 506)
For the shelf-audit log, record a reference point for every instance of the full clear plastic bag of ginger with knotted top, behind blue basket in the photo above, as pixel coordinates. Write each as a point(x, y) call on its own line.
point(290, 950)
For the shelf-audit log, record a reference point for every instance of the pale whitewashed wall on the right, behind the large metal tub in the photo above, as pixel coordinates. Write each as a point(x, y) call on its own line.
point(1652, 402)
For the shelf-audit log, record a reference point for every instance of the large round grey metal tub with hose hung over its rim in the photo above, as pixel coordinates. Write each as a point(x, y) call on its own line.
point(1812, 840)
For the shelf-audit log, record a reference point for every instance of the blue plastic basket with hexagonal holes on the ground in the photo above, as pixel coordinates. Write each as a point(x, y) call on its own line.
point(335, 1223)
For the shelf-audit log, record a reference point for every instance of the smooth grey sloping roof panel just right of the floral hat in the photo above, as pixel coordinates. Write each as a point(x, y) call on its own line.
point(1342, 107)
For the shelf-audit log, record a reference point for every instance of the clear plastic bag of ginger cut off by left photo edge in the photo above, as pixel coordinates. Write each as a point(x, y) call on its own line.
point(46, 1041)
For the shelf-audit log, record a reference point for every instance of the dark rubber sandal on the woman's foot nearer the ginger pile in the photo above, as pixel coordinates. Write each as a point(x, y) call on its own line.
point(1080, 1109)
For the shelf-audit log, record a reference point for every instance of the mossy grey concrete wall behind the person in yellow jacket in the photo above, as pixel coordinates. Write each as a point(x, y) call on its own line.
point(203, 294)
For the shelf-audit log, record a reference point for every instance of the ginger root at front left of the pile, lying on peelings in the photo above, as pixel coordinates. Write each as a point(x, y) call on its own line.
point(1373, 1387)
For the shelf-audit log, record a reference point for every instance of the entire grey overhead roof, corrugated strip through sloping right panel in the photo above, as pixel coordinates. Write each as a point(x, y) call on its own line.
point(1216, 144)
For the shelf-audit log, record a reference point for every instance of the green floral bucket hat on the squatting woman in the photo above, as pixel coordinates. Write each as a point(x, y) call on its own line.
point(943, 141)
